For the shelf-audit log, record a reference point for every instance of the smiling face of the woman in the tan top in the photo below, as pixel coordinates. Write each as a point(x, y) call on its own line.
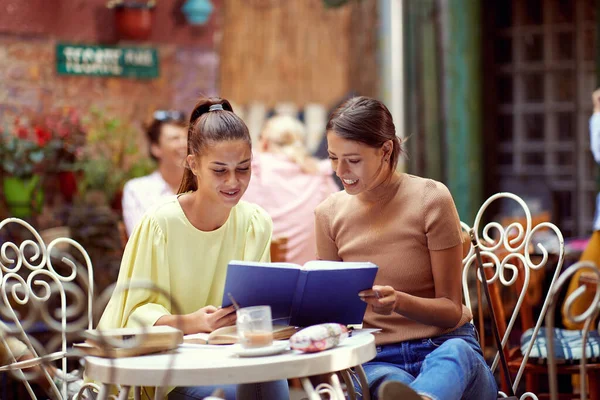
point(360, 167)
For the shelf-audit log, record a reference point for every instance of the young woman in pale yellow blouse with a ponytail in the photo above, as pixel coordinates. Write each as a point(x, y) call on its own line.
point(184, 243)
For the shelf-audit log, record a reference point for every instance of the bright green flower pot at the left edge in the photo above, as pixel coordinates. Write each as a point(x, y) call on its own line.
point(23, 196)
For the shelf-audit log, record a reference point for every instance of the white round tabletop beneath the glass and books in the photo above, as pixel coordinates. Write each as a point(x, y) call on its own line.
point(197, 365)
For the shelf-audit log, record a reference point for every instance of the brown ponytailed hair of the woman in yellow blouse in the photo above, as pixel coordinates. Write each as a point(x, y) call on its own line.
point(209, 126)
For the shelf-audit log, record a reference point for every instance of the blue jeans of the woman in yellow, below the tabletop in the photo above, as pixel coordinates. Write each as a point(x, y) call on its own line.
point(275, 390)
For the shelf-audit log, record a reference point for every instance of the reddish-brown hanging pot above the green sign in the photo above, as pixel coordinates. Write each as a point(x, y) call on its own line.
point(133, 18)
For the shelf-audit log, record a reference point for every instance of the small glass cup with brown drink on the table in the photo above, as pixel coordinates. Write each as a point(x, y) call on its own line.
point(255, 327)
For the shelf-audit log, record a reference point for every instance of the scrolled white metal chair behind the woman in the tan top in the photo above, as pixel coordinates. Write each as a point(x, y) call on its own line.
point(515, 244)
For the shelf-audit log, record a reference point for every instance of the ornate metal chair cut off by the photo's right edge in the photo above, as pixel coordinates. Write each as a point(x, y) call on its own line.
point(587, 317)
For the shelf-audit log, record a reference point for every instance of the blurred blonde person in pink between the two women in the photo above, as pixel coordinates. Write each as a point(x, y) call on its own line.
point(289, 184)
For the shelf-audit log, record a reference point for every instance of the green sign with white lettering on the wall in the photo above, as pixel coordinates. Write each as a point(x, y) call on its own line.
point(126, 62)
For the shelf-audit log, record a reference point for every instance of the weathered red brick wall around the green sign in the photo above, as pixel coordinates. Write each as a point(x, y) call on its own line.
point(30, 30)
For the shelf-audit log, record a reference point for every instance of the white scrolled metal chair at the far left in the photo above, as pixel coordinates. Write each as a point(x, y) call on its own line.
point(31, 287)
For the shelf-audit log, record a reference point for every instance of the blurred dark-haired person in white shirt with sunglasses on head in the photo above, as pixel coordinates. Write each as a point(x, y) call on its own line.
point(167, 137)
